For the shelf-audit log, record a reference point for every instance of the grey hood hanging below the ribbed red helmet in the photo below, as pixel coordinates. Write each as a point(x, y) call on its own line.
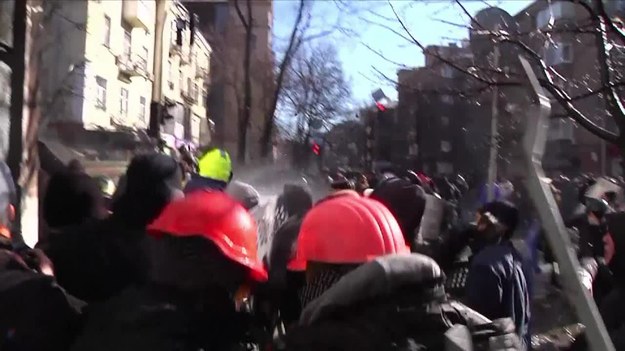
point(381, 277)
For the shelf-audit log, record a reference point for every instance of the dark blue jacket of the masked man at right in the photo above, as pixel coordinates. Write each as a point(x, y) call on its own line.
point(496, 286)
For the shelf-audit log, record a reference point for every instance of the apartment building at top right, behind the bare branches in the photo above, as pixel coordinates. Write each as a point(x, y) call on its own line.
point(573, 54)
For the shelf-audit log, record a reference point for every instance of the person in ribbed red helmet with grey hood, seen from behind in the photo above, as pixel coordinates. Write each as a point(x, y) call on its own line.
point(364, 290)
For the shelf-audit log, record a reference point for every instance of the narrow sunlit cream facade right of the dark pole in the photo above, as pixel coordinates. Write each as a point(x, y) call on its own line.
point(186, 80)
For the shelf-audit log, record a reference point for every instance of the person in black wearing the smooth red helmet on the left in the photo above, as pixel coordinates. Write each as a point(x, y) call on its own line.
point(202, 255)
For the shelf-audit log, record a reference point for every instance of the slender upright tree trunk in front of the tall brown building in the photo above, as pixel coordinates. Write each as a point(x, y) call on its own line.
point(246, 114)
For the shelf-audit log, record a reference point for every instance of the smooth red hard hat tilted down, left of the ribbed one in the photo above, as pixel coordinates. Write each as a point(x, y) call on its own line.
point(218, 218)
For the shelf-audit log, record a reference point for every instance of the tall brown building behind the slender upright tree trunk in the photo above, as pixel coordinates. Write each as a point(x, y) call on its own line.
point(220, 24)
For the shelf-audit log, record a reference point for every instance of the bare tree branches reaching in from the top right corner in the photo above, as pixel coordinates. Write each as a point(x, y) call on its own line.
point(597, 29)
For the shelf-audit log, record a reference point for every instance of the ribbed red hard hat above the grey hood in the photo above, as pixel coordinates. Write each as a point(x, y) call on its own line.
point(347, 230)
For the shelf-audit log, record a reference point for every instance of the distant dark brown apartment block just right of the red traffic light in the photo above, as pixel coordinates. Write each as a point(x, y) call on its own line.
point(444, 130)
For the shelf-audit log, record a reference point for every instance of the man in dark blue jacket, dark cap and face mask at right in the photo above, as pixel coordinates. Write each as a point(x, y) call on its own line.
point(496, 286)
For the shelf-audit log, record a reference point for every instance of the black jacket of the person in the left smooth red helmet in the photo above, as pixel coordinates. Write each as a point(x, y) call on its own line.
point(155, 318)
